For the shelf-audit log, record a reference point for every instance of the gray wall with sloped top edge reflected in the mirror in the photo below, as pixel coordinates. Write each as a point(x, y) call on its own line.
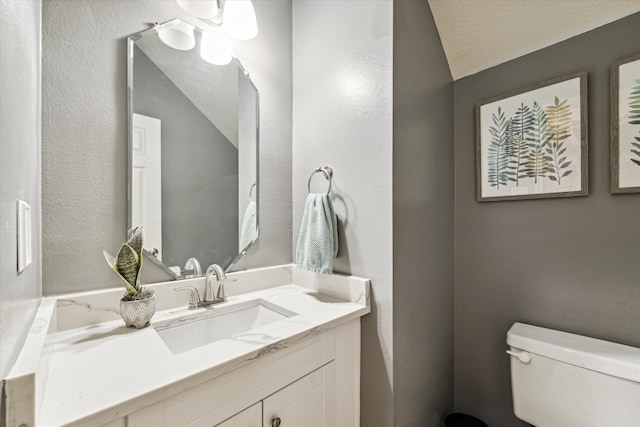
point(199, 172)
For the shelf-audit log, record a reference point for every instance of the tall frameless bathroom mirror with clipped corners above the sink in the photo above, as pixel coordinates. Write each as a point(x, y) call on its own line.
point(193, 149)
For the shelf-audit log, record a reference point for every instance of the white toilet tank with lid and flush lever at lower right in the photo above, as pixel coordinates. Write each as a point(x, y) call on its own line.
point(565, 380)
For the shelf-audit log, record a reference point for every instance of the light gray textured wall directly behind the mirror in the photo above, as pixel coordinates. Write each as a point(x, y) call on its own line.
point(85, 132)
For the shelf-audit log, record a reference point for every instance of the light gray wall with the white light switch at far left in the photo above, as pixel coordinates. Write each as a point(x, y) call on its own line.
point(20, 90)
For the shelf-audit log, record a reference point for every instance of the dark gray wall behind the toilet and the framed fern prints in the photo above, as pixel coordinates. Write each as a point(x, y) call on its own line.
point(568, 264)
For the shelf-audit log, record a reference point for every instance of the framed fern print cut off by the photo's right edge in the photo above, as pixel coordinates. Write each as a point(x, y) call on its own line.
point(625, 125)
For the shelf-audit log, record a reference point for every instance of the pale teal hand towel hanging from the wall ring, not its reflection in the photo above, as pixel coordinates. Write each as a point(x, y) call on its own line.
point(318, 240)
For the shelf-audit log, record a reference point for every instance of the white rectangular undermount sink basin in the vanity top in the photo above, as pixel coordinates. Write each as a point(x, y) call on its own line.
point(218, 323)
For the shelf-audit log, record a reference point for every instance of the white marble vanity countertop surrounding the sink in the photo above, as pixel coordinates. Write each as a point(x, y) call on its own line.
point(99, 372)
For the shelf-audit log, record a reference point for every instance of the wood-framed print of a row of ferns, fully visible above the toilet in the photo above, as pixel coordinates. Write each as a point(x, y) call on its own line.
point(532, 143)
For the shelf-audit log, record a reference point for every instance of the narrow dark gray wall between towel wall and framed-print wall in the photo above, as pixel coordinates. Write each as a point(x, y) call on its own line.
point(422, 219)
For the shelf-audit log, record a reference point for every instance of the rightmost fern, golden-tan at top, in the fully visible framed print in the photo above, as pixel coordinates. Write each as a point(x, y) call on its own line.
point(558, 131)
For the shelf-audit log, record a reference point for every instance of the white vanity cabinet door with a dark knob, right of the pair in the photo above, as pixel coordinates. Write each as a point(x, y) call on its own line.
point(307, 402)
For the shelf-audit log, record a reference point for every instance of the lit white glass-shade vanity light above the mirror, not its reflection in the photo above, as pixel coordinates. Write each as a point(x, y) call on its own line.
point(237, 17)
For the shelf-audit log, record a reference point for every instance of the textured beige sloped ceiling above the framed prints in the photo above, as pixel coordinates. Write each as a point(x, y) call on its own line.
point(479, 34)
